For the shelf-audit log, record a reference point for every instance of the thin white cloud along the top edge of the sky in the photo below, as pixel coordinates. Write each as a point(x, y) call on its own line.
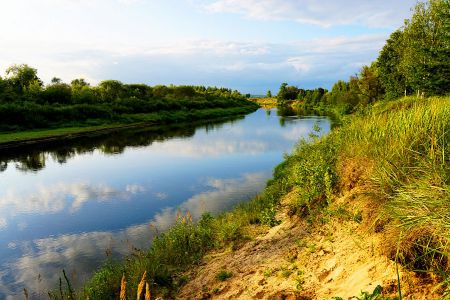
point(381, 13)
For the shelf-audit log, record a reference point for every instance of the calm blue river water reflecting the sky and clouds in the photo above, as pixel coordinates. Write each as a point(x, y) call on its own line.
point(69, 207)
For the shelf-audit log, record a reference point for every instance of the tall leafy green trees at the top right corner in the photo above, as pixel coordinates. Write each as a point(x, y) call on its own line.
point(415, 58)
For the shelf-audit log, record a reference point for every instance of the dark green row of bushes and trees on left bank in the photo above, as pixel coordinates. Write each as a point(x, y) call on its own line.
point(26, 103)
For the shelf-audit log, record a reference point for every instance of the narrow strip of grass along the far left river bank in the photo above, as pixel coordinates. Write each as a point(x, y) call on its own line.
point(98, 126)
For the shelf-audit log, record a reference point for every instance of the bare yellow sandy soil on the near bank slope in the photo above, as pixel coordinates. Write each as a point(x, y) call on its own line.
point(338, 256)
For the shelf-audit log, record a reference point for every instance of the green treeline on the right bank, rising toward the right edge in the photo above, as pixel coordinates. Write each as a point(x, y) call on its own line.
point(414, 61)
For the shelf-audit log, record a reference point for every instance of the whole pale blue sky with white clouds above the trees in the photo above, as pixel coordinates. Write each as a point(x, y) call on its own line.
point(249, 45)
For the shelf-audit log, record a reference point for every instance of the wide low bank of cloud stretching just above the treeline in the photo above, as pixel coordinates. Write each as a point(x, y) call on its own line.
point(248, 66)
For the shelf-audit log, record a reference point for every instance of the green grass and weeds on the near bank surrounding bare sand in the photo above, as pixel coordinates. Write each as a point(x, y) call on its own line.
point(407, 144)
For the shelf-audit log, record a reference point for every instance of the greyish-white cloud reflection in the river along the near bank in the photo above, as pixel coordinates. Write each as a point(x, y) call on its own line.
point(80, 254)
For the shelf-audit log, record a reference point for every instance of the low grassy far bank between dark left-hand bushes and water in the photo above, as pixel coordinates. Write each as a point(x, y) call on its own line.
point(47, 136)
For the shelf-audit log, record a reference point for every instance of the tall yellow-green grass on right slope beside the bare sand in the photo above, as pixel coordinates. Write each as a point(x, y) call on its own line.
point(409, 143)
